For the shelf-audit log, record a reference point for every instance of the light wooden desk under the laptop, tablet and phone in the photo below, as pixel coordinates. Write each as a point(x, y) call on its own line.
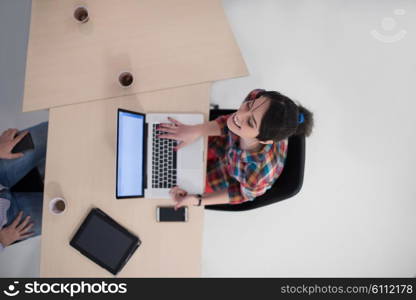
point(80, 167)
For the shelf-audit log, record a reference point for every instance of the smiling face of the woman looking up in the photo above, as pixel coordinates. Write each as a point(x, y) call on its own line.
point(245, 122)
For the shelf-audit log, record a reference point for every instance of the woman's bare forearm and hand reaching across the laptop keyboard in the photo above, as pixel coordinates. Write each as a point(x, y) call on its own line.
point(187, 134)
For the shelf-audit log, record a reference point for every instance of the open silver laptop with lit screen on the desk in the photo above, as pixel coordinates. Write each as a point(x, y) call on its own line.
point(147, 166)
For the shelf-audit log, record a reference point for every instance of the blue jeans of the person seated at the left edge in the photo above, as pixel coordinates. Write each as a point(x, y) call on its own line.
point(13, 170)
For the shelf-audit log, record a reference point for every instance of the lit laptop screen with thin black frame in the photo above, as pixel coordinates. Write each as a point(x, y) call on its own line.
point(130, 154)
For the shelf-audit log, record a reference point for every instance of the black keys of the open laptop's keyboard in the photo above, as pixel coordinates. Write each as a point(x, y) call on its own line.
point(163, 161)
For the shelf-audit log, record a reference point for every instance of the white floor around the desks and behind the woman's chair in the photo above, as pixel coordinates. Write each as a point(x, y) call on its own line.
point(353, 64)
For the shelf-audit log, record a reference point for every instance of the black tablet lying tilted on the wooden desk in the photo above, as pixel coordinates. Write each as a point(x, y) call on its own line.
point(104, 241)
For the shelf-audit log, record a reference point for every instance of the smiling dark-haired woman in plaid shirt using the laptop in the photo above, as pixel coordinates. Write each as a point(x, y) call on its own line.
point(246, 149)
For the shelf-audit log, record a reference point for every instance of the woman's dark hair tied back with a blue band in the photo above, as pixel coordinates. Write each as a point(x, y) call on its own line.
point(283, 118)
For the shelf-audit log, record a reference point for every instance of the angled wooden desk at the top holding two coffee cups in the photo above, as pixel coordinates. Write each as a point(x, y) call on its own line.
point(164, 44)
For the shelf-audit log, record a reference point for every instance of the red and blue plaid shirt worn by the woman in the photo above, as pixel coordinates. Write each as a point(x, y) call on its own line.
point(245, 174)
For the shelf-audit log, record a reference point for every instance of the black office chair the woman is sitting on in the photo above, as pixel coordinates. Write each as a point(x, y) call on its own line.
point(287, 185)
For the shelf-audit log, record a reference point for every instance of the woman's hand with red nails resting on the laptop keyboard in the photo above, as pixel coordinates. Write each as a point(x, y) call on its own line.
point(185, 134)
